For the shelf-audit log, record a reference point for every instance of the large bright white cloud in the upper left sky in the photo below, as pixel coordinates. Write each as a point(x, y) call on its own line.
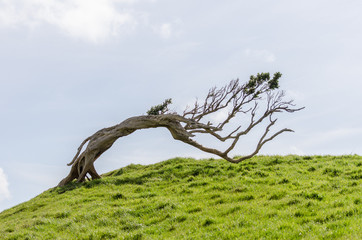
point(91, 20)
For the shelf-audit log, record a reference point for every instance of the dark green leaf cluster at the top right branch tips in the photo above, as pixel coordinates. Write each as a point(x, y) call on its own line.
point(261, 79)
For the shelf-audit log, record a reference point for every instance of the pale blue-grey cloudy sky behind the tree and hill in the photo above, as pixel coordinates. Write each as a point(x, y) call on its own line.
point(72, 67)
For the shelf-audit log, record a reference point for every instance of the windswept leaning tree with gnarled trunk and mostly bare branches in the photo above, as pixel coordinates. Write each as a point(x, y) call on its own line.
point(257, 100)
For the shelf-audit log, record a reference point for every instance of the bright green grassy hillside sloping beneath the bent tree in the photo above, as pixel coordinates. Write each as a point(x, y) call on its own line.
point(267, 197)
